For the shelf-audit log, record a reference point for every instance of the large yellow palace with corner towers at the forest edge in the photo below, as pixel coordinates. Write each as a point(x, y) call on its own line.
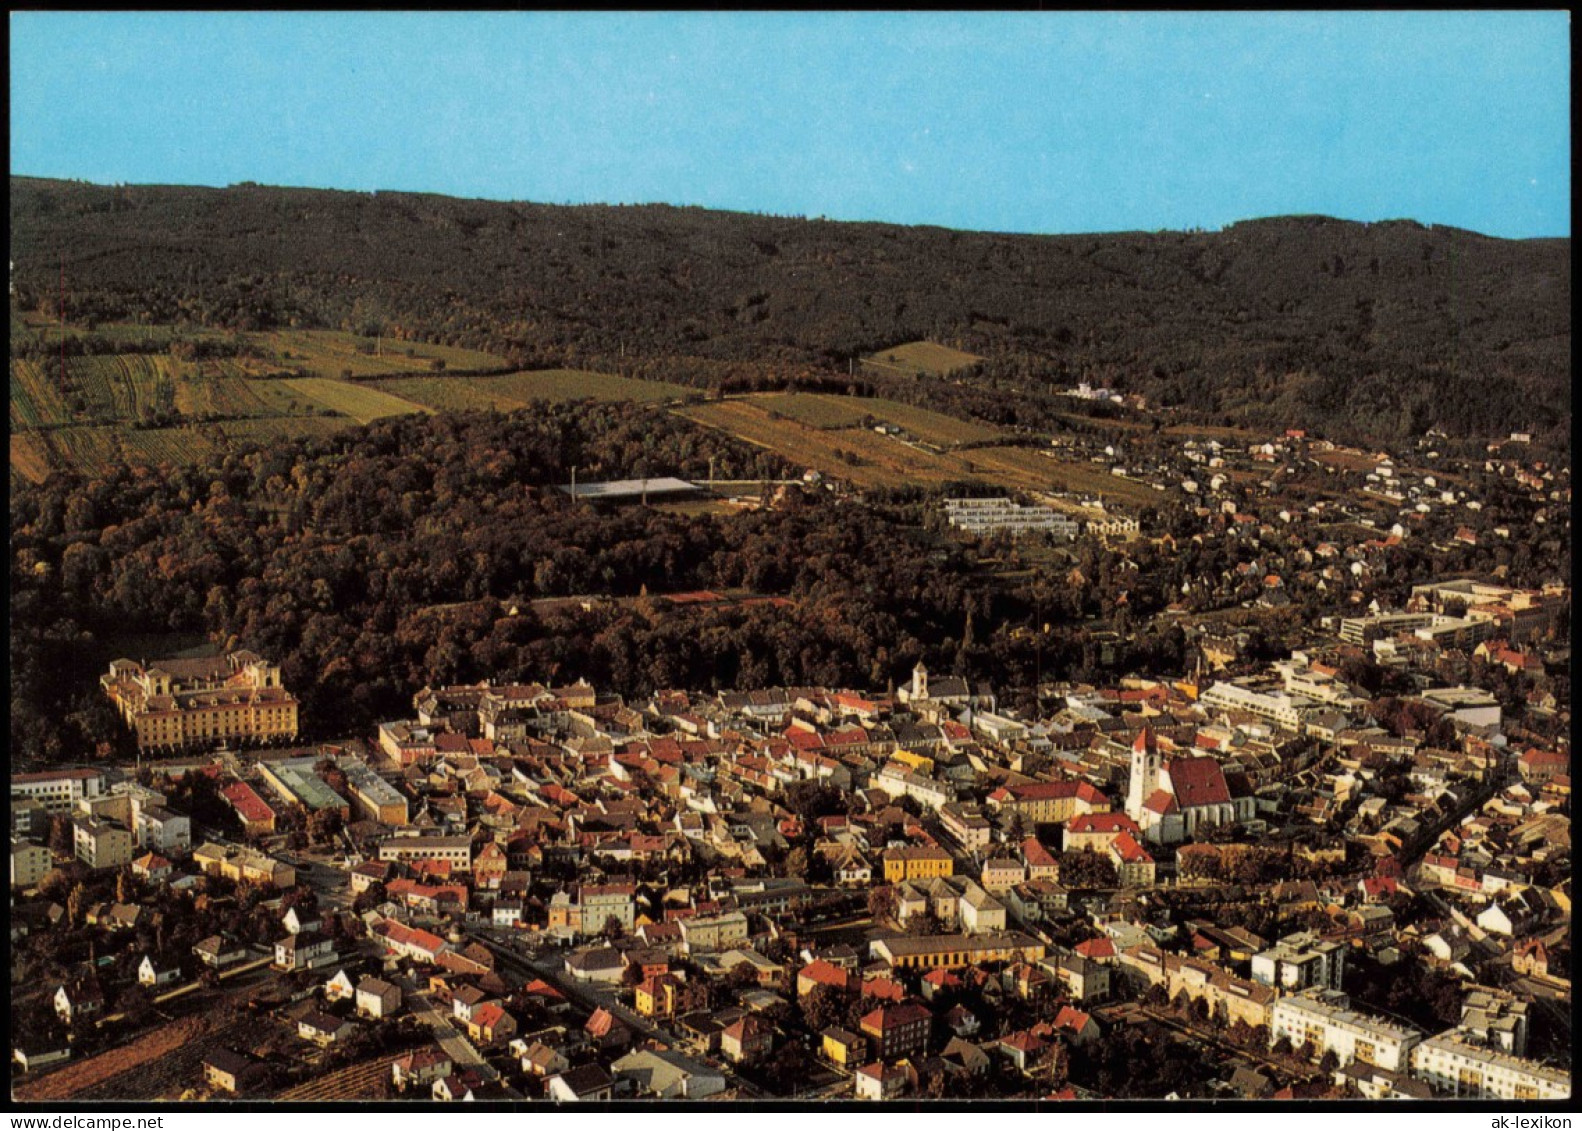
point(194, 703)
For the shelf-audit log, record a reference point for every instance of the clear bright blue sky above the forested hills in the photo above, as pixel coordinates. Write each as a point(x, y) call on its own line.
point(1037, 123)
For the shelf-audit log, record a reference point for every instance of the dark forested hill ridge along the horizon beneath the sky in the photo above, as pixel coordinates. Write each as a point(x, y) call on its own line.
point(1385, 330)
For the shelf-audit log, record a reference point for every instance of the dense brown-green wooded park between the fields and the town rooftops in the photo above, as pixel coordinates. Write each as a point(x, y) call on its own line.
point(414, 550)
